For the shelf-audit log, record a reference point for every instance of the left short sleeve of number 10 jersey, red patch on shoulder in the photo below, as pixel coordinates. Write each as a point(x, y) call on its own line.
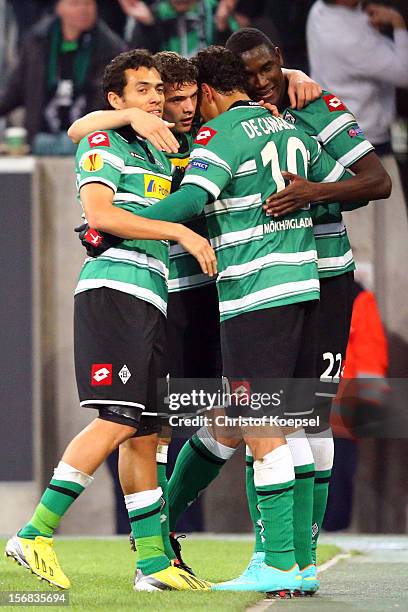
point(213, 161)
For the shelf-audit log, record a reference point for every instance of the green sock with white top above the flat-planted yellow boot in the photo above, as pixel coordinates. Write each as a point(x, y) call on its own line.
point(146, 530)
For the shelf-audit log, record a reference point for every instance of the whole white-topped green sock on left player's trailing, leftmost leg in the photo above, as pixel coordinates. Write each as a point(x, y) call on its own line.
point(66, 485)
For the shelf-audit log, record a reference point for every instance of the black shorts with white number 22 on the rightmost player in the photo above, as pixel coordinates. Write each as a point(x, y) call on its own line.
point(336, 306)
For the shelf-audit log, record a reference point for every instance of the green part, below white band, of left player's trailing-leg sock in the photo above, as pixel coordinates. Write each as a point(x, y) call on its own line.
point(56, 499)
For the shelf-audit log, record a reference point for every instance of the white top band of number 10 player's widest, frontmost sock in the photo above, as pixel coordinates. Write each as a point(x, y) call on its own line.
point(274, 468)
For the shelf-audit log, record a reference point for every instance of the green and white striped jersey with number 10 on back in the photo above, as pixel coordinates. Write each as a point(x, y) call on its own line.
point(238, 158)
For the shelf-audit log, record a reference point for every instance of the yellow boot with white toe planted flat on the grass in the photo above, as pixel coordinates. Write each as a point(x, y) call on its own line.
point(170, 579)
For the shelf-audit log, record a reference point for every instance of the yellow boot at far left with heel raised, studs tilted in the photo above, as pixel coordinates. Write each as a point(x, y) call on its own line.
point(39, 557)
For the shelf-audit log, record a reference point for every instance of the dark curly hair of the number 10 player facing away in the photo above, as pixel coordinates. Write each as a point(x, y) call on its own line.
point(221, 69)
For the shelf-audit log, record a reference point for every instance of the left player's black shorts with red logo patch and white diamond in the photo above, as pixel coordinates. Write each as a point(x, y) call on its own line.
point(119, 343)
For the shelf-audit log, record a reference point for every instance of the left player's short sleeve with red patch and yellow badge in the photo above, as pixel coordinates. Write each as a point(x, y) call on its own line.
point(99, 160)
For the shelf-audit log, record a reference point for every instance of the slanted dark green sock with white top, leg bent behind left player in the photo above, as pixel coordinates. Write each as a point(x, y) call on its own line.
point(196, 467)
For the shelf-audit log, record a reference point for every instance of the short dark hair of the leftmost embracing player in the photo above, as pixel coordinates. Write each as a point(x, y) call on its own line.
point(114, 78)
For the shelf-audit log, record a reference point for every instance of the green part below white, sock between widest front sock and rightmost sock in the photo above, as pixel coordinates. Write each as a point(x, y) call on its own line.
point(302, 513)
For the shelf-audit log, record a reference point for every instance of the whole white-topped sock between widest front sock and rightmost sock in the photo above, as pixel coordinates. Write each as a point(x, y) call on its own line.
point(302, 496)
